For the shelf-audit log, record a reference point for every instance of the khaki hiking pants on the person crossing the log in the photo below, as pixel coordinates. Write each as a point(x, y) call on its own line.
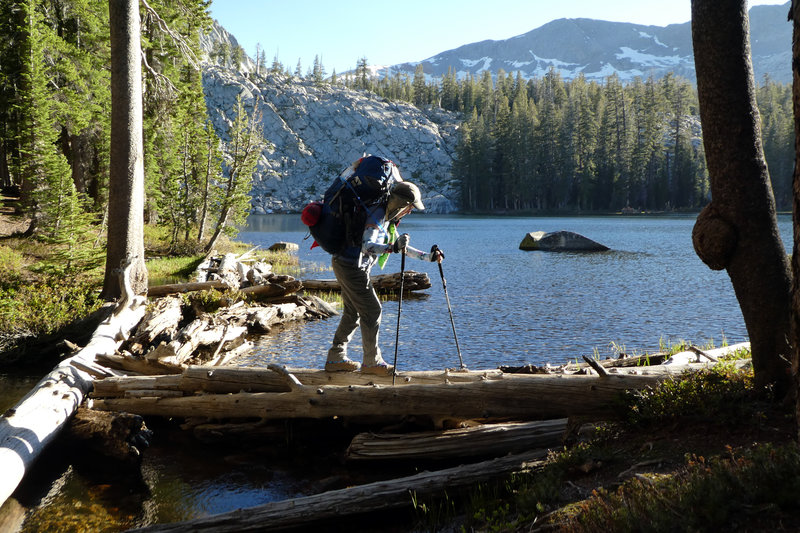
point(361, 306)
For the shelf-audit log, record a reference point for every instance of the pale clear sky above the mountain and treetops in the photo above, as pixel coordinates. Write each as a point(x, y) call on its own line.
point(341, 32)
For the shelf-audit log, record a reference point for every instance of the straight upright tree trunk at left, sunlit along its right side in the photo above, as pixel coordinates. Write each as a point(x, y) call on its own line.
point(126, 182)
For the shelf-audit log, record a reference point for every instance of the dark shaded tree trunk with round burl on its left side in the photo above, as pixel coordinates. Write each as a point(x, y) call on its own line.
point(738, 230)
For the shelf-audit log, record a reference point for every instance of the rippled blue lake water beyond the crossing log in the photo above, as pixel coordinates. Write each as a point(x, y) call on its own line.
point(513, 307)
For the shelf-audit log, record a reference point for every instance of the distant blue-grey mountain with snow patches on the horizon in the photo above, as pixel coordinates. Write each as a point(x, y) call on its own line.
point(598, 49)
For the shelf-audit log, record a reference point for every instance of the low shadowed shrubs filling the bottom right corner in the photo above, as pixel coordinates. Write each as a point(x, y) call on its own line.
point(745, 488)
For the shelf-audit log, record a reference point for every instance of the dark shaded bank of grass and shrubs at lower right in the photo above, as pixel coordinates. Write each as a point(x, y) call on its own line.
point(728, 488)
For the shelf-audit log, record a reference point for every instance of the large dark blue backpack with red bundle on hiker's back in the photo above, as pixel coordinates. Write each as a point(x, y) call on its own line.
point(338, 221)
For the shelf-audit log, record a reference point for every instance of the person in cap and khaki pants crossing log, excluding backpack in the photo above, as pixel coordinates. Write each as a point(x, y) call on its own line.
point(352, 269)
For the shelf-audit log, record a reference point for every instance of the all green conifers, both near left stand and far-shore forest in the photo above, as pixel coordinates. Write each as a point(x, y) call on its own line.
point(543, 145)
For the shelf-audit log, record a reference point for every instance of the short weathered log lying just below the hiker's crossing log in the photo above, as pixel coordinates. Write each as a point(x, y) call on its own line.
point(481, 440)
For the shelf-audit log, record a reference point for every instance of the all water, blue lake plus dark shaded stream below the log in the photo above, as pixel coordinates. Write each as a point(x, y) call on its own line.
point(510, 307)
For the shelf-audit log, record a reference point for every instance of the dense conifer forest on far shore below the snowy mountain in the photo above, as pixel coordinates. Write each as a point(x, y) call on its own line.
point(551, 144)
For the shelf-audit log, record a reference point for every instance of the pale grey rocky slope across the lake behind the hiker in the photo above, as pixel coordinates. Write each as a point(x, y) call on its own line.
point(315, 130)
